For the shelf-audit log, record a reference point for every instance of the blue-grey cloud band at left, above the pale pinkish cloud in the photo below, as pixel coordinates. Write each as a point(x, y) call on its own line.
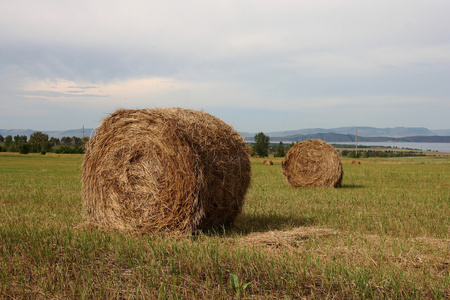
point(95, 65)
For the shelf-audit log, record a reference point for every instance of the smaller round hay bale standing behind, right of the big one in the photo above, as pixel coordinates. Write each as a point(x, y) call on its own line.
point(312, 163)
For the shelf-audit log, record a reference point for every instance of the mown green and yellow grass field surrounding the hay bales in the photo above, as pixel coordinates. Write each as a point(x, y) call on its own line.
point(384, 234)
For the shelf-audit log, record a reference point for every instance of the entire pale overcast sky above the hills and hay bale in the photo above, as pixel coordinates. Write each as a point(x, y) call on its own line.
point(258, 65)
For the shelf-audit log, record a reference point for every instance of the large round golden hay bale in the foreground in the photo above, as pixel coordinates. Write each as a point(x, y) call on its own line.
point(164, 170)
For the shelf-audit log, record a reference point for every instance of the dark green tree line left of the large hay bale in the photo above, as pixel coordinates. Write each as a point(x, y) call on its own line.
point(40, 143)
